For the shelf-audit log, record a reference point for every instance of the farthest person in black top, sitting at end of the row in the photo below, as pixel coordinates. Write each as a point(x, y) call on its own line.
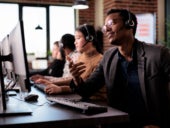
point(57, 65)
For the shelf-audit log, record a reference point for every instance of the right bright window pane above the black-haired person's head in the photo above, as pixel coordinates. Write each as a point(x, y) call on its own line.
point(62, 21)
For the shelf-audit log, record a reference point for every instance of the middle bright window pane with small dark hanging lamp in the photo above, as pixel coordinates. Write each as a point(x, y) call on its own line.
point(35, 38)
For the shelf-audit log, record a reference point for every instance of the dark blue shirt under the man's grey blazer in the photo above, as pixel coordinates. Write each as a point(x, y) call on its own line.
point(129, 72)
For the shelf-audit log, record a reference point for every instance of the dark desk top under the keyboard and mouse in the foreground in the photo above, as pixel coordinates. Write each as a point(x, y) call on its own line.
point(46, 115)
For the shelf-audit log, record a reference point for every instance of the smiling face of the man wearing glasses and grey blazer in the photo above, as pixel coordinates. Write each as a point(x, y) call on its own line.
point(114, 29)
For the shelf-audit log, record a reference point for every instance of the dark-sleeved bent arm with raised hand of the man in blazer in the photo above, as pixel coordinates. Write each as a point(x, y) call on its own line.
point(91, 85)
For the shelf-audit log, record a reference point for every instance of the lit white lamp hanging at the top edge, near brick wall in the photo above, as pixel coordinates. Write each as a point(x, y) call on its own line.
point(80, 4)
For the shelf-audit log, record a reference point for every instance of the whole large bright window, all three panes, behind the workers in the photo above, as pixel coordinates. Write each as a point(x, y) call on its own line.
point(61, 20)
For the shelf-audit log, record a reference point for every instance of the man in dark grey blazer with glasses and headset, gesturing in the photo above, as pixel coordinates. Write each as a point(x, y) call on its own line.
point(136, 74)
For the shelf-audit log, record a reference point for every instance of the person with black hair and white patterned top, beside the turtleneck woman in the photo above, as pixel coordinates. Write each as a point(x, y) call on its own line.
point(67, 42)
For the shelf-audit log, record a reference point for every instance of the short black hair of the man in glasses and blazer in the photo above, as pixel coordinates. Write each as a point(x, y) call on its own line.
point(126, 15)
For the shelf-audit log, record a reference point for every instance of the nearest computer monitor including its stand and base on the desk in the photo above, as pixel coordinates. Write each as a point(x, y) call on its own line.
point(20, 68)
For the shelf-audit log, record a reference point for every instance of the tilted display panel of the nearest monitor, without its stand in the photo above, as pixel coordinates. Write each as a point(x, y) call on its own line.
point(19, 58)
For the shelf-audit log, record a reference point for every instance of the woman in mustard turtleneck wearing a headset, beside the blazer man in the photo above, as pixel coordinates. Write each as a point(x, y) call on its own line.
point(87, 44)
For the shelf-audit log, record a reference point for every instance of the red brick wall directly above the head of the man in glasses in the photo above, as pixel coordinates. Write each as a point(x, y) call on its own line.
point(135, 6)
